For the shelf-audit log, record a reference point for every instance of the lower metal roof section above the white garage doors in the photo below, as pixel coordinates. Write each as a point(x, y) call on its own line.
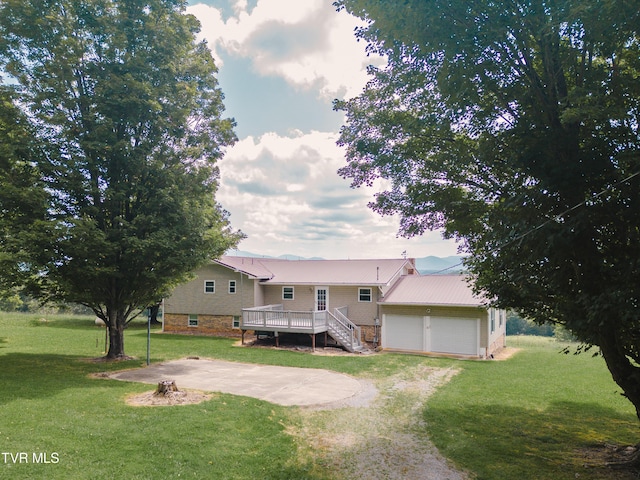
point(445, 290)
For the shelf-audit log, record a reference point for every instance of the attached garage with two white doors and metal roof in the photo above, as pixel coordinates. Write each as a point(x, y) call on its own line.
point(439, 314)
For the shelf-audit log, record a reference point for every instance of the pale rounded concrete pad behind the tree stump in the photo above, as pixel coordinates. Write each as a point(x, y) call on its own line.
point(281, 385)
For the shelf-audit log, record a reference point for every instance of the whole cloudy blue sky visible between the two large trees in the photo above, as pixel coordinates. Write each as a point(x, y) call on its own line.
point(281, 64)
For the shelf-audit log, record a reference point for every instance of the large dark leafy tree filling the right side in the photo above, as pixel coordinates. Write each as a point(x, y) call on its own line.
point(513, 126)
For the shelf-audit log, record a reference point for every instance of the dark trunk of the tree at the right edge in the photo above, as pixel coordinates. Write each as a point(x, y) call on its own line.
point(624, 373)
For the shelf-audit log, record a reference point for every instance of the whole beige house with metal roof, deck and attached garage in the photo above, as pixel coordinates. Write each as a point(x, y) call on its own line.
point(380, 302)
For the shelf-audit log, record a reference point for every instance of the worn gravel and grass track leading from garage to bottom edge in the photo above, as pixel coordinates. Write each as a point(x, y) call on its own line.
point(383, 438)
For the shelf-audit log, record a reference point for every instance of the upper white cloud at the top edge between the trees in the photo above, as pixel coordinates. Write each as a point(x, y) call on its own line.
point(307, 43)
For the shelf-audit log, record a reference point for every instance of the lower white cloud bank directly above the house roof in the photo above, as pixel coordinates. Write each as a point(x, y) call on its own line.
point(284, 193)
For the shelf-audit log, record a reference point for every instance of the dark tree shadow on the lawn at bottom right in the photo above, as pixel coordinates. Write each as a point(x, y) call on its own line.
point(498, 442)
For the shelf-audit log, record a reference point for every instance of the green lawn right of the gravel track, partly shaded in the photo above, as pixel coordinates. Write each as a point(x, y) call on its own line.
point(532, 416)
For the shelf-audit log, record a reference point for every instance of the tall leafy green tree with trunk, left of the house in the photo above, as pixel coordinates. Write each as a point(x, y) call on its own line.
point(126, 104)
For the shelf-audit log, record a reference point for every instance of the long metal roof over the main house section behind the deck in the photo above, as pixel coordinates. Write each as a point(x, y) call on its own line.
point(318, 272)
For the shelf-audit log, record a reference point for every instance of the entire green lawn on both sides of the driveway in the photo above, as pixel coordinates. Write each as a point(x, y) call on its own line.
point(529, 417)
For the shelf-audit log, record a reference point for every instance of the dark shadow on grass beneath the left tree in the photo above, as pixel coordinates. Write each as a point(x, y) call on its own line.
point(33, 376)
